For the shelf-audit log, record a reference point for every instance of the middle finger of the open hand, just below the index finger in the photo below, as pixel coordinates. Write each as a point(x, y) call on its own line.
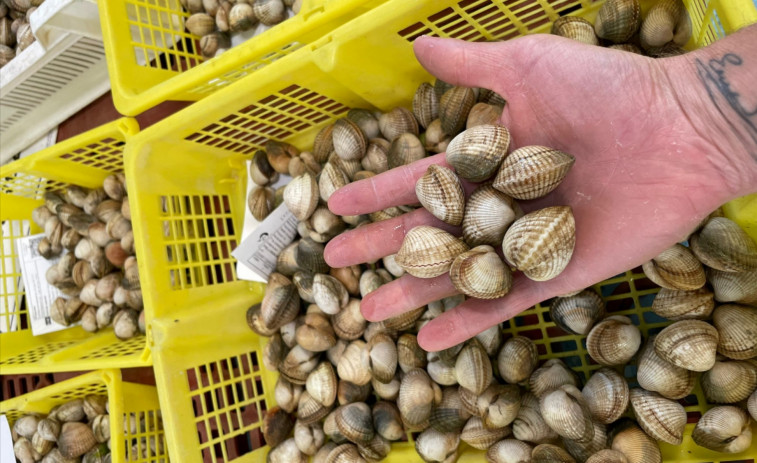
point(374, 241)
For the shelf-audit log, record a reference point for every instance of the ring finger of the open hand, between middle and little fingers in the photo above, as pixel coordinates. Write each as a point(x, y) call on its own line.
point(403, 294)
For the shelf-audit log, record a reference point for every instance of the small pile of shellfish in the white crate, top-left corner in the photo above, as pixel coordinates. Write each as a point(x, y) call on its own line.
point(15, 32)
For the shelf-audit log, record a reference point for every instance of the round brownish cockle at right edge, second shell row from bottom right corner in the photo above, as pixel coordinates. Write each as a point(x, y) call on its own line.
point(729, 382)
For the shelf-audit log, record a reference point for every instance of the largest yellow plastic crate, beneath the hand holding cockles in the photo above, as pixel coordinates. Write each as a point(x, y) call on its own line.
point(190, 192)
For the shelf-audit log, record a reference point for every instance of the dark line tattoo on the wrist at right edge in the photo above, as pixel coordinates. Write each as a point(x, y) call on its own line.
point(727, 100)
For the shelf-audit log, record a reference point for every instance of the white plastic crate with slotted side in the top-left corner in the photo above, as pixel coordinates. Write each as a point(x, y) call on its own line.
point(56, 76)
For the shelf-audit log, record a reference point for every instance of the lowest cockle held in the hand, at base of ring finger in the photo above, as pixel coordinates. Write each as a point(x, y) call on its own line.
point(480, 273)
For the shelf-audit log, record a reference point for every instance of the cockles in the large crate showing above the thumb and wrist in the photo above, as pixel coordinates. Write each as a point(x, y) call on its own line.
point(619, 25)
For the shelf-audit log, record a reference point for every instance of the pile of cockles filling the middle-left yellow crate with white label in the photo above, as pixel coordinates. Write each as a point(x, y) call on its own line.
point(89, 233)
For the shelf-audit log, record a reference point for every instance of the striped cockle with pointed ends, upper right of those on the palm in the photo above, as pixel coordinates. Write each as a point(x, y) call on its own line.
point(531, 172)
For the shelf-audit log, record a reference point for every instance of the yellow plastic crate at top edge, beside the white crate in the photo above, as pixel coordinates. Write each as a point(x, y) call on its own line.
point(151, 58)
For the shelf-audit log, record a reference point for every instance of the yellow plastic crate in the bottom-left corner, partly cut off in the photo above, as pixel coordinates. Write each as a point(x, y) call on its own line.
point(126, 401)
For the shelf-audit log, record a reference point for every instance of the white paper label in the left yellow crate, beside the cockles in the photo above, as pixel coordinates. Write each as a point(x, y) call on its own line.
point(39, 293)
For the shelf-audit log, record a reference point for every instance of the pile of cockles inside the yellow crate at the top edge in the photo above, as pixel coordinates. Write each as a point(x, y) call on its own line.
point(215, 20)
